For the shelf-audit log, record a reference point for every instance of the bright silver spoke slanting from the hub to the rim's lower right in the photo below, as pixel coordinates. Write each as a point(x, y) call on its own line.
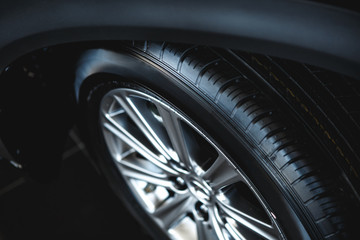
point(255, 225)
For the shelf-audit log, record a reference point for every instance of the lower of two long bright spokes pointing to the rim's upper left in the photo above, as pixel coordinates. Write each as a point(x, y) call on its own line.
point(120, 132)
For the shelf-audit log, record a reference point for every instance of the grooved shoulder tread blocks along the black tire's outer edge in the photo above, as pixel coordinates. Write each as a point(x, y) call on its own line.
point(249, 108)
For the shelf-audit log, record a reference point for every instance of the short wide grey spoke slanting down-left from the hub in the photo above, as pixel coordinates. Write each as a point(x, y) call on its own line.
point(174, 209)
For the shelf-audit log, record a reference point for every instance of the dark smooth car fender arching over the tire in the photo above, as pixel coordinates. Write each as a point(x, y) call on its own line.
point(304, 31)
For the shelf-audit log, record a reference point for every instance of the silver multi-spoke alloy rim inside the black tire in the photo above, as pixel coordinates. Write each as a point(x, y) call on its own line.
point(178, 175)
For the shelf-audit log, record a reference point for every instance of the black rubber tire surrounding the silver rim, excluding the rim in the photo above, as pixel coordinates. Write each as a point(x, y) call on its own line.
point(307, 192)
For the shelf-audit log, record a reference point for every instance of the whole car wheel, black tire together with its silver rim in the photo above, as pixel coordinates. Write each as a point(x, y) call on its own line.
point(192, 138)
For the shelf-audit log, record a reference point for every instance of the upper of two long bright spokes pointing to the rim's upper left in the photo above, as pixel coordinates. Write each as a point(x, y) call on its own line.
point(147, 128)
